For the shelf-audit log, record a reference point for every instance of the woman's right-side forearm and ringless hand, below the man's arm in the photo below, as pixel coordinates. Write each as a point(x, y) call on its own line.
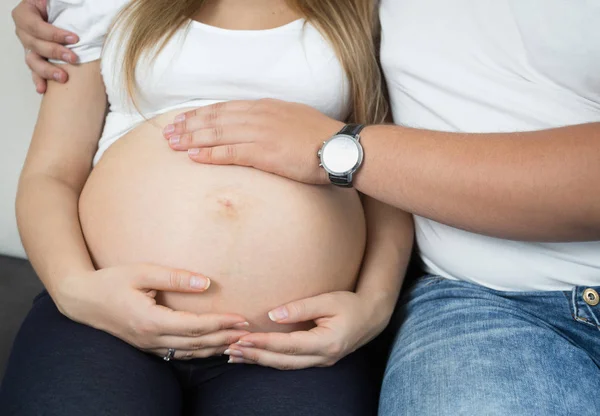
point(345, 320)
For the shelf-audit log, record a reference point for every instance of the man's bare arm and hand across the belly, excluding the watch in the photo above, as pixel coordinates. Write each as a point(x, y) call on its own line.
point(536, 186)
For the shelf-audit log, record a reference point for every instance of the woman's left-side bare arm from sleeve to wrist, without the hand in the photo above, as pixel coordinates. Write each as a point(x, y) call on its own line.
point(57, 165)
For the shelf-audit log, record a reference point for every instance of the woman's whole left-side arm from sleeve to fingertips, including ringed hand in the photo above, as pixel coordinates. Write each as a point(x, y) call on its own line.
point(118, 300)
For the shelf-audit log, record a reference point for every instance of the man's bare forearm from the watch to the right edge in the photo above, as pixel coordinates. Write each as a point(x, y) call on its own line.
point(536, 186)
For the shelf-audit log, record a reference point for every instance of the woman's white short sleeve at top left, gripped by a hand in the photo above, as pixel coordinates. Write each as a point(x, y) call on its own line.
point(89, 19)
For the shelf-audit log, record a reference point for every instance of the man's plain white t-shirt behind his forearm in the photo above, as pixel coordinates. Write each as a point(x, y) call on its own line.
point(483, 66)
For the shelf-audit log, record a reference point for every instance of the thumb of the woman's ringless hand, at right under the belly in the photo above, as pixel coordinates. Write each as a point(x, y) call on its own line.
point(302, 310)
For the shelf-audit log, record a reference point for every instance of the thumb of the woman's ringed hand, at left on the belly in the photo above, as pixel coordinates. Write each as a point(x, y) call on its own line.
point(150, 276)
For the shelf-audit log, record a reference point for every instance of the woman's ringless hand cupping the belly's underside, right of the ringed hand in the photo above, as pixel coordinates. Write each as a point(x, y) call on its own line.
point(345, 322)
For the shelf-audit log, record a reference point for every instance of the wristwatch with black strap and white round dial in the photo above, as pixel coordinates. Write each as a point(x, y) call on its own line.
point(342, 155)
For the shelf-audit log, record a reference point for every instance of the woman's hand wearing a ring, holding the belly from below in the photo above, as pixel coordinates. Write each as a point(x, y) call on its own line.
point(121, 301)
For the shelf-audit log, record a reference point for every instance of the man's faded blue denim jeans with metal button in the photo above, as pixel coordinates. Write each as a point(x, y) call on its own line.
point(463, 349)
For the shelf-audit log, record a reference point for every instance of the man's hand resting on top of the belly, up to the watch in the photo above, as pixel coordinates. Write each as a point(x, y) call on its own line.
point(271, 135)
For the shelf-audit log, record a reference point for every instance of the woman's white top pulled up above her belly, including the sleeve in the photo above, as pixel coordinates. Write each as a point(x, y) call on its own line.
point(203, 65)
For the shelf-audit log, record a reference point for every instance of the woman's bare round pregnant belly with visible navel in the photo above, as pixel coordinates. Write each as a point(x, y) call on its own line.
point(262, 239)
